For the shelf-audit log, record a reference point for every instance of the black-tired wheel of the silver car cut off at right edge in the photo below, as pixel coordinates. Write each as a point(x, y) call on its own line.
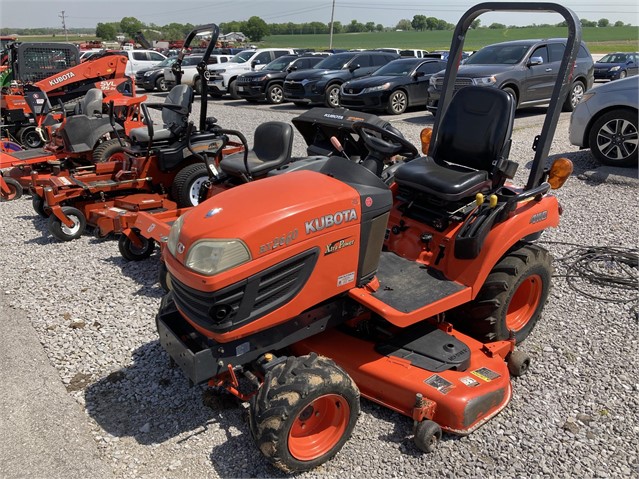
point(613, 138)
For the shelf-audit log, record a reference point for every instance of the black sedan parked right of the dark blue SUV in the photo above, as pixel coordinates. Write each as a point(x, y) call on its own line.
point(394, 87)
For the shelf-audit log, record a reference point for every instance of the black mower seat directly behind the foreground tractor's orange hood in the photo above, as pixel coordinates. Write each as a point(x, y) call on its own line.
point(272, 147)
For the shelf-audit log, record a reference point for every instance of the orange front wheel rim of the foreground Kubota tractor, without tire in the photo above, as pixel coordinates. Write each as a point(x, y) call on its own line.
point(319, 427)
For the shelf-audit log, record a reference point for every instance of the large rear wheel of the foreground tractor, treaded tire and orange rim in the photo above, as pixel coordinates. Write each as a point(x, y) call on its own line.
point(512, 297)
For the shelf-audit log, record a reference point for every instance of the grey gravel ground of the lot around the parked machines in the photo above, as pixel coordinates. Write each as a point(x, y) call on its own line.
point(574, 415)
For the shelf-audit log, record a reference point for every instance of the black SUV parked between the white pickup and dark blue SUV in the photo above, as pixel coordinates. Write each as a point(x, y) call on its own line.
point(268, 83)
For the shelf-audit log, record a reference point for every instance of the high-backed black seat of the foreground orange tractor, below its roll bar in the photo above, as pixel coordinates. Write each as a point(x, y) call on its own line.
point(471, 153)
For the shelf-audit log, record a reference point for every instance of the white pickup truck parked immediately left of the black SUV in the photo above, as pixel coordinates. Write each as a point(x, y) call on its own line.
point(222, 79)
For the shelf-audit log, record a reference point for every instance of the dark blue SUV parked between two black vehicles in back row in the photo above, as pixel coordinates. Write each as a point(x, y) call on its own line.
point(322, 84)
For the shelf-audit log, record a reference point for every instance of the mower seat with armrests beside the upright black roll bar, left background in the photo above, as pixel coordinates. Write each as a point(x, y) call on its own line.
point(175, 116)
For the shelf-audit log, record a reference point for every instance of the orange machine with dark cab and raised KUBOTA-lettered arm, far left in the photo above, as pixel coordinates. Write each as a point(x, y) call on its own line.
point(55, 70)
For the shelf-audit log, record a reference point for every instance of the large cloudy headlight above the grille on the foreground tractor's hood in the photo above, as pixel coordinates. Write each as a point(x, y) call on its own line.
point(210, 257)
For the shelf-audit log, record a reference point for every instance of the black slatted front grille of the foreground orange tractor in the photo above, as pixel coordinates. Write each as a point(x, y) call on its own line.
point(242, 302)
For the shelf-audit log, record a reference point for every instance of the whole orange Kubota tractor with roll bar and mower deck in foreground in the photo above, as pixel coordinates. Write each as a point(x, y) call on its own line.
point(321, 286)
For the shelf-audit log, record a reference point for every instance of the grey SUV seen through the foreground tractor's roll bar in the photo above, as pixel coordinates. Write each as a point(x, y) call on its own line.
point(526, 69)
